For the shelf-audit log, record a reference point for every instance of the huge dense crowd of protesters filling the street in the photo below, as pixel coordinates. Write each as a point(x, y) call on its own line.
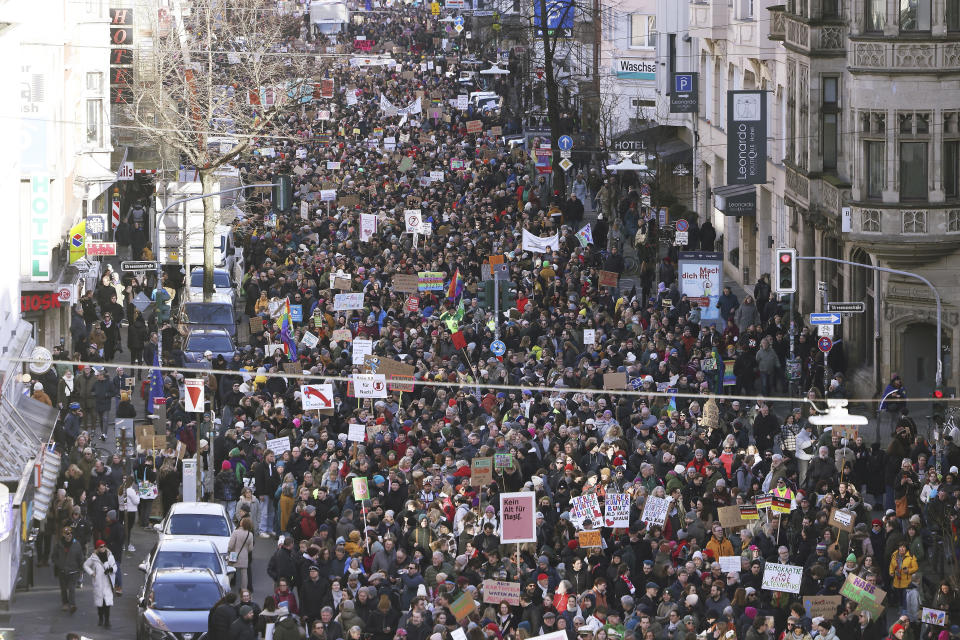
point(391, 567)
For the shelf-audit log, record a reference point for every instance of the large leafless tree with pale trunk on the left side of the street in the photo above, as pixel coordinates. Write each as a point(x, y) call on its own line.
point(226, 71)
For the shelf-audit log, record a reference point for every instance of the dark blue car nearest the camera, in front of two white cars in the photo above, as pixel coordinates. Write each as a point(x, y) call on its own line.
point(174, 604)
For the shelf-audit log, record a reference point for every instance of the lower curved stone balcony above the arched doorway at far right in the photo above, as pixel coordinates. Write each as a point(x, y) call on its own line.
point(906, 235)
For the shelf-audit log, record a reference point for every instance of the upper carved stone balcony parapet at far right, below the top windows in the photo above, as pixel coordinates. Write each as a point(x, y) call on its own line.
point(903, 56)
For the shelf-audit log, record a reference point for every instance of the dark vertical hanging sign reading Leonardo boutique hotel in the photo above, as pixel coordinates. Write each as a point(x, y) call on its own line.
point(746, 137)
